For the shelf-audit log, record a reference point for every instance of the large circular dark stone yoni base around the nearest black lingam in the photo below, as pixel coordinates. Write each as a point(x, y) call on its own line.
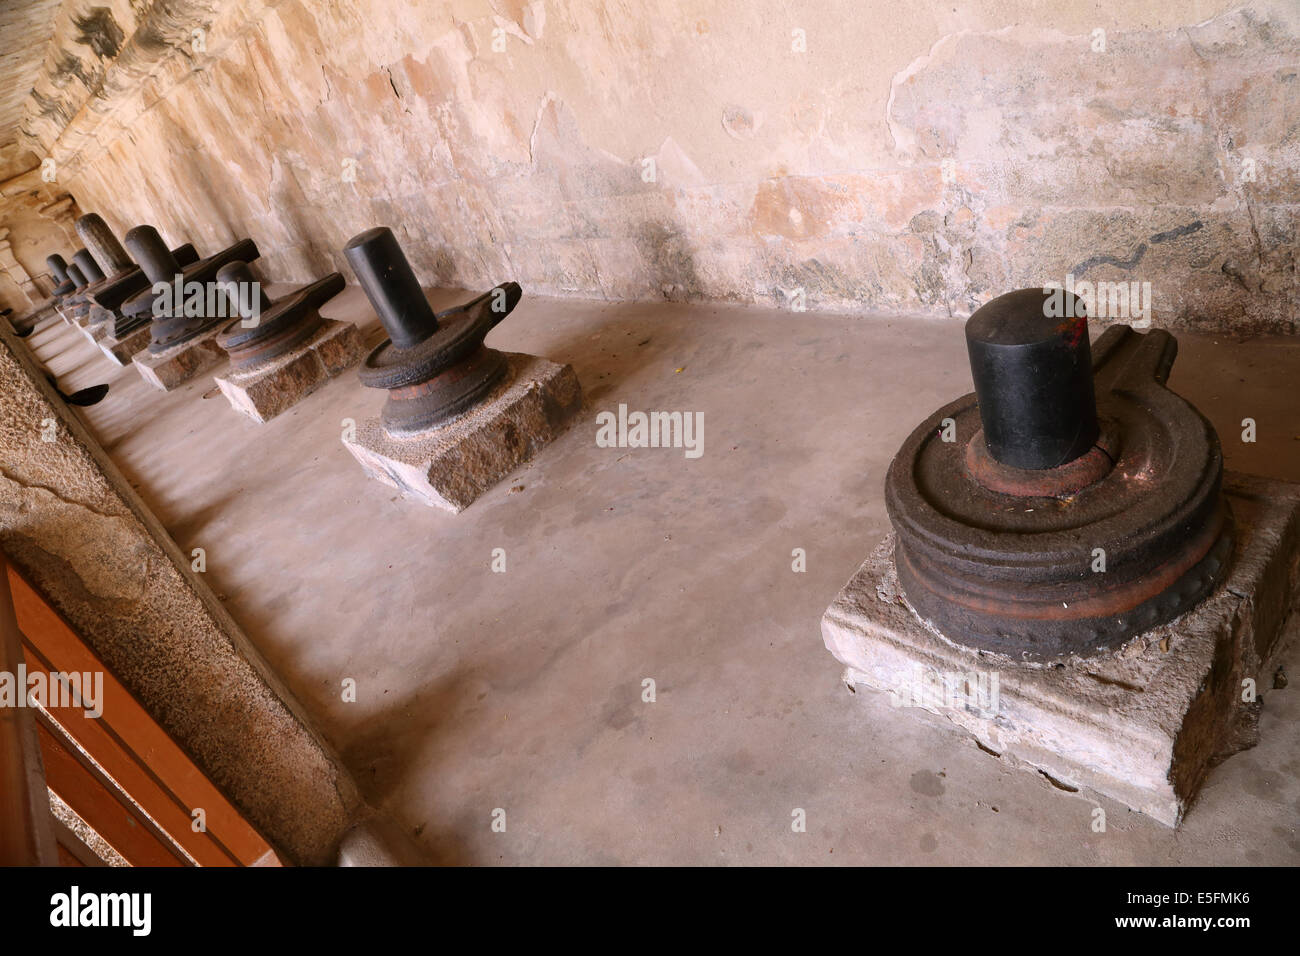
point(1074, 560)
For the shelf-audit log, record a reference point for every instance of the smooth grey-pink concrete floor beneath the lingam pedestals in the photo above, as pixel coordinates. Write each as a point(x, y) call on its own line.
point(523, 691)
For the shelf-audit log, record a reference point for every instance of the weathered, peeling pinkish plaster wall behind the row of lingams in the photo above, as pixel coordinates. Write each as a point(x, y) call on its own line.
point(921, 157)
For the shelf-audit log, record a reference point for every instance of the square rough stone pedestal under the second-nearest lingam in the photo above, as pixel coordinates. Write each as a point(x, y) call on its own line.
point(450, 466)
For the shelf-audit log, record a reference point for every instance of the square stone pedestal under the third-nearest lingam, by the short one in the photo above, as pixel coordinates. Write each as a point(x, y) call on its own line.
point(268, 390)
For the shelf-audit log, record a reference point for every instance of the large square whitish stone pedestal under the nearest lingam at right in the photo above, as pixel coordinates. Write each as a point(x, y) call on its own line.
point(1142, 725)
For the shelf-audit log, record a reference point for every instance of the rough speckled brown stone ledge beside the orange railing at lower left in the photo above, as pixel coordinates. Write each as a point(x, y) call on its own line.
point(71, 522)
